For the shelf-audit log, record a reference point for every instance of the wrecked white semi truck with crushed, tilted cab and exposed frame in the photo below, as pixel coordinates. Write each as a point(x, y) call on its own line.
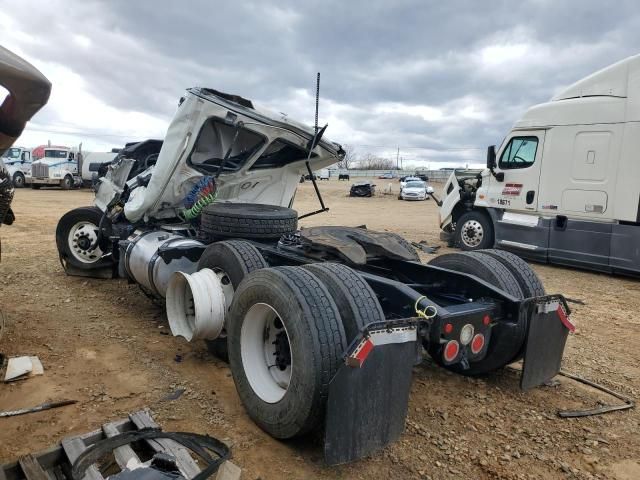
point(321, 326)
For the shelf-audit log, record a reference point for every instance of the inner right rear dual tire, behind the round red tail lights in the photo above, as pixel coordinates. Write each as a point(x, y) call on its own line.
point(507, 340)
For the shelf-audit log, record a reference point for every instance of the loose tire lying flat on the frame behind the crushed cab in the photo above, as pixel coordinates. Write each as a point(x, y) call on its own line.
point(247, 220)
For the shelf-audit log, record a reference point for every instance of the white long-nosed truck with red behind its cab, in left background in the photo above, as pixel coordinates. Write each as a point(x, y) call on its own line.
point(58, 167)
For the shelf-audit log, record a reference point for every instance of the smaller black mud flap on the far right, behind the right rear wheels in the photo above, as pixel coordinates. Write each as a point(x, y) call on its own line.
point(549, 326)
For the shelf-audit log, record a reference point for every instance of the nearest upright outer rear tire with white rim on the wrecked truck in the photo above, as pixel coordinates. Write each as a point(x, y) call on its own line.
point(285, 342)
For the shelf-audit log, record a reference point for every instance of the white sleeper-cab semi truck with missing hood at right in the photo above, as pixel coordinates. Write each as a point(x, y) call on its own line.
point(564, 185)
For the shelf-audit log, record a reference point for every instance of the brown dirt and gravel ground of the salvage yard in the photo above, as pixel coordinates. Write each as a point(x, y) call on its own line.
point(105, 344)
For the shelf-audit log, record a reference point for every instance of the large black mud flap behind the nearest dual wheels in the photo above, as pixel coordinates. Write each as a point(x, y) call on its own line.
point(369, 395)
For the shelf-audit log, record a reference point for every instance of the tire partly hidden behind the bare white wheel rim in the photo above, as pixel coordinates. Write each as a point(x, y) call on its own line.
point(232, 260)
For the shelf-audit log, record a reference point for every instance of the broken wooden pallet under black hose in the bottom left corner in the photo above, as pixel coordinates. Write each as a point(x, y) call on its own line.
point(55, 463)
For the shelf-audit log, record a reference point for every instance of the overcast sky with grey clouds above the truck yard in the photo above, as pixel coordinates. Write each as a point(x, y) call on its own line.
point(440, 79)
